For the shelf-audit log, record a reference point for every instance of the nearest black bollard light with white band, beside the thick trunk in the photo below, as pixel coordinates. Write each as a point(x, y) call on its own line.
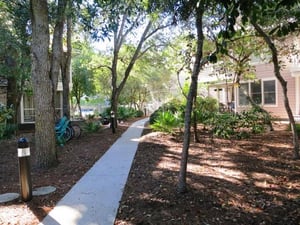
point(24, 169)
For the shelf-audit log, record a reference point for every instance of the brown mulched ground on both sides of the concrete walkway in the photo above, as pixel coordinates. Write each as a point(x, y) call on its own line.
point(253, 181)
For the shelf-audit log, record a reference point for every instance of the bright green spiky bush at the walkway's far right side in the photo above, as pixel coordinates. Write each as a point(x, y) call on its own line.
point(167, 121)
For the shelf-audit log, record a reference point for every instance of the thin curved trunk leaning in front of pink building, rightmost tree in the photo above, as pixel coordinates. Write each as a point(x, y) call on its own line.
point(283, 85)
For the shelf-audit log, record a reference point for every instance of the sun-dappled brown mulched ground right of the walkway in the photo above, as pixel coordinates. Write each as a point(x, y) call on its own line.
point(252, 181)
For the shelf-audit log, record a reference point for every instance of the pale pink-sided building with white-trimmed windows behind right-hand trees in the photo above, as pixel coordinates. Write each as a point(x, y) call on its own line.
point(265, 89)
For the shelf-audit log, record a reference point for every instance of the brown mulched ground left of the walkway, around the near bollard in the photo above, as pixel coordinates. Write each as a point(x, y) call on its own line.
point(75, 159)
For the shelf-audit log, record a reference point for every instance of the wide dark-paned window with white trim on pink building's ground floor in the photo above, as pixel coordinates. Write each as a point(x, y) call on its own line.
point(262, 92)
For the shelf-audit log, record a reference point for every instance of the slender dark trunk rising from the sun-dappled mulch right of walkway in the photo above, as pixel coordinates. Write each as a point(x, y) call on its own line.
point(181, 187)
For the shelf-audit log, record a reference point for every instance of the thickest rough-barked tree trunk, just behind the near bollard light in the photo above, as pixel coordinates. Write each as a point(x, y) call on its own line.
point(45, 141)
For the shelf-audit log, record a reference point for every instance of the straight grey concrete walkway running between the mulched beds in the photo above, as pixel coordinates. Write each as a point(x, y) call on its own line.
point(94, 200)
